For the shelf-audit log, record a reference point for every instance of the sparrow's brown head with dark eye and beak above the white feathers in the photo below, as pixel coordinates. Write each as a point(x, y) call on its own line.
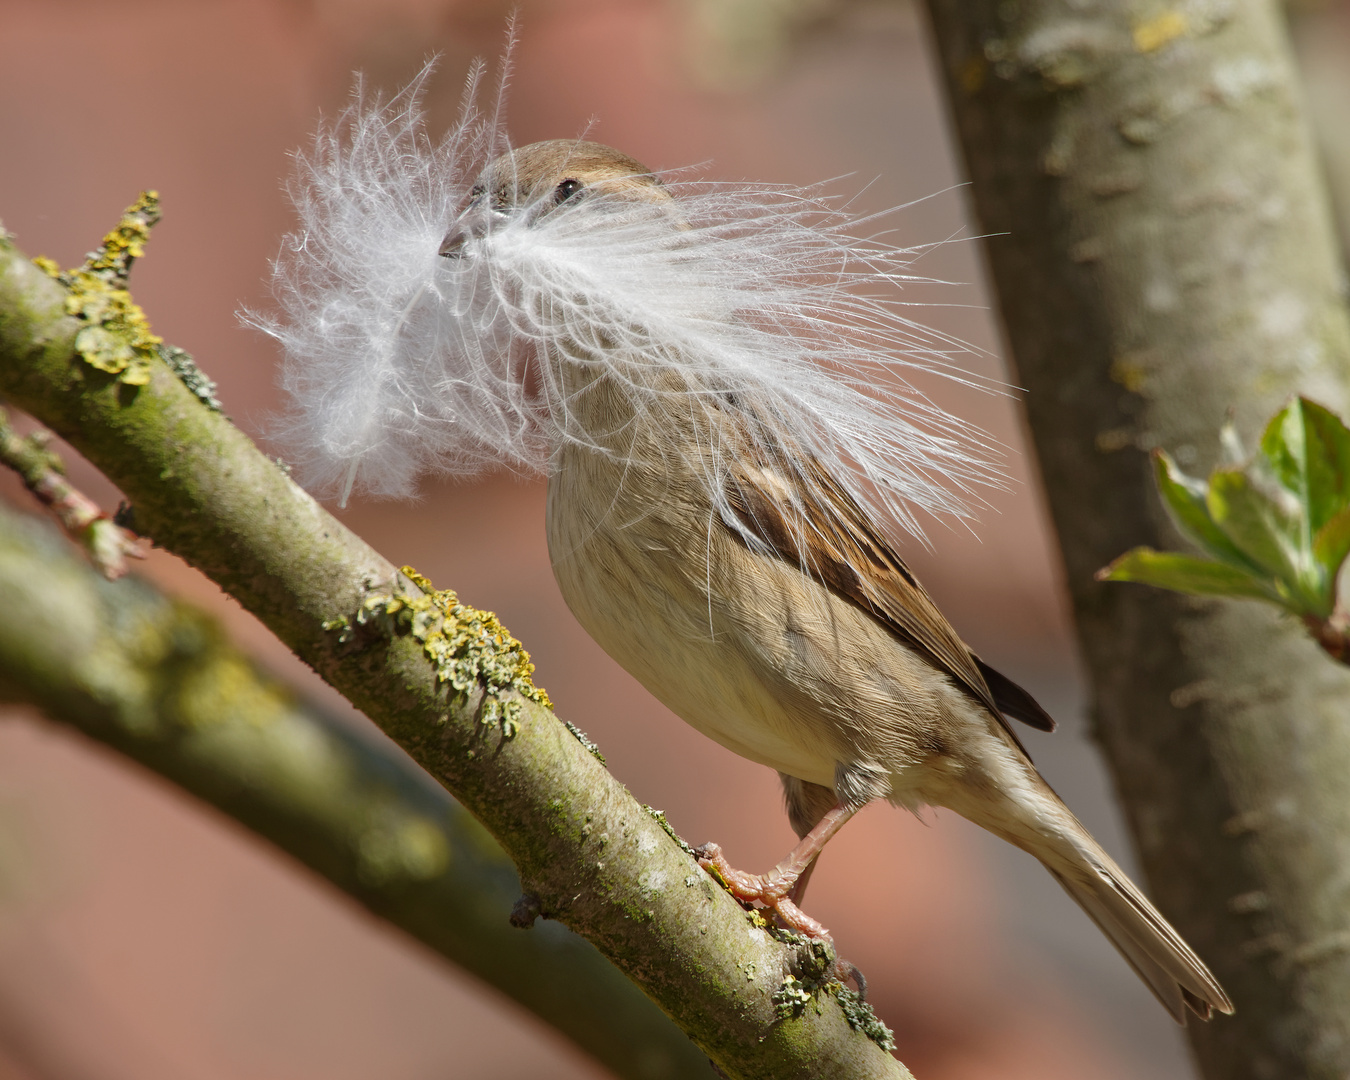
point(551, 178)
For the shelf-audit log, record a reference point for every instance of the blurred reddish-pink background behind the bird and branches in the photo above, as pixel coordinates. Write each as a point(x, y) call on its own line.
point(142, 936)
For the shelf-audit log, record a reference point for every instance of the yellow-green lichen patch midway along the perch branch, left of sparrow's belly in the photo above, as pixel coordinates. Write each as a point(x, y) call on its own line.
point(469, 647)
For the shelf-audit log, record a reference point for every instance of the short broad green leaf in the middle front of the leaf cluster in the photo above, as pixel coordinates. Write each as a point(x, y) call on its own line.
point(1268, 526)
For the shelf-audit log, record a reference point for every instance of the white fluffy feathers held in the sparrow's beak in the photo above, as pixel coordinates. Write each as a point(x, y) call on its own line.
point(402, 362)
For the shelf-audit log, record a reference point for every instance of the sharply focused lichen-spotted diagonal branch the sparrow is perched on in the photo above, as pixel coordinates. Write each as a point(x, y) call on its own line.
point(587, 851)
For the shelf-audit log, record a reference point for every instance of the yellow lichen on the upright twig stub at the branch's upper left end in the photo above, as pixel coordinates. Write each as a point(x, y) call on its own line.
point(117, 337)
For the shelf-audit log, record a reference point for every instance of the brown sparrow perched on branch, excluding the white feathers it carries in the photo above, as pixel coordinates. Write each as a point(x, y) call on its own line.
point(774, 614)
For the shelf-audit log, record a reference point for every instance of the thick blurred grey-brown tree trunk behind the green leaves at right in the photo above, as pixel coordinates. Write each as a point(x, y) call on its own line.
point(1163, 253)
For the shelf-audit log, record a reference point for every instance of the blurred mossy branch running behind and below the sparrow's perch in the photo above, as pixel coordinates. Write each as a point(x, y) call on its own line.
point(157, 681)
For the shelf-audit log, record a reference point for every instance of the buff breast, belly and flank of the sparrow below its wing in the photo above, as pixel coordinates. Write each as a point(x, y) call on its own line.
point(742, 646)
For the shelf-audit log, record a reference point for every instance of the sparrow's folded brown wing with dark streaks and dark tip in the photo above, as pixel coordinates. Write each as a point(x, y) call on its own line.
point(832, 538)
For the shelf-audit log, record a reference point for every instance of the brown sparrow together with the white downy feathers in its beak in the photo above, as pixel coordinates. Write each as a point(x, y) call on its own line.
point(722, 541)
